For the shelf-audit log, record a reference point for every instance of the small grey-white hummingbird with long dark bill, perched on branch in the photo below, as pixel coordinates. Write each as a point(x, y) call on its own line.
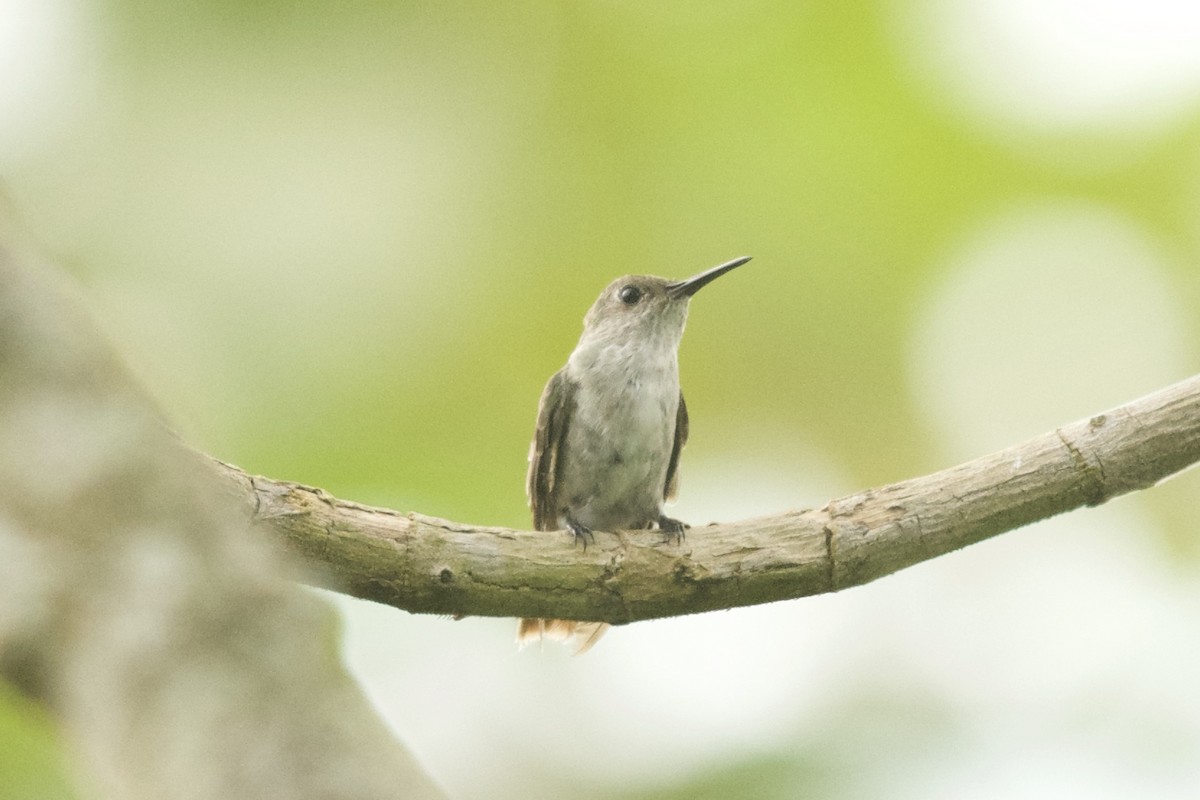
point(611, 424)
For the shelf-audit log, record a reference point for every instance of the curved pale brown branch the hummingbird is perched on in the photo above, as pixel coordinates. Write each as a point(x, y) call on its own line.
point(429, 566)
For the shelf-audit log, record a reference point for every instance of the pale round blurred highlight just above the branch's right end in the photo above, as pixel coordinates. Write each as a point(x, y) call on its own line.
point(1046, 315)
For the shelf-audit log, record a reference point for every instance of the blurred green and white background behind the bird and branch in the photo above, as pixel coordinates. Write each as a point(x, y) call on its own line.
point(347, 244)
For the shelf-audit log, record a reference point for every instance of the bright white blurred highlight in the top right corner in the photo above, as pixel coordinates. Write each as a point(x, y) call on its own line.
point(1059, 67)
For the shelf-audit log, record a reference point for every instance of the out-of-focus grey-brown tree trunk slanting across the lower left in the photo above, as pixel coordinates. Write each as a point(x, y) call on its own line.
point(170, 647)
